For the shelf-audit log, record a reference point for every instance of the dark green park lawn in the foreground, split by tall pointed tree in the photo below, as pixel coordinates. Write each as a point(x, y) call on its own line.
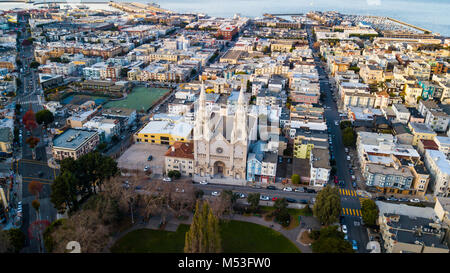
point(237, 237)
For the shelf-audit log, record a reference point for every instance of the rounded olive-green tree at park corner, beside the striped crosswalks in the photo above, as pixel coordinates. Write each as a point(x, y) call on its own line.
point(327, 207)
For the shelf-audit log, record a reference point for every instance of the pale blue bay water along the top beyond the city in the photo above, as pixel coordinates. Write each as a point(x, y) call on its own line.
point(430, 14)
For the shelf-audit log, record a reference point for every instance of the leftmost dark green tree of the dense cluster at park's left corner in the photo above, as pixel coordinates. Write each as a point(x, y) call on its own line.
point(64, 192)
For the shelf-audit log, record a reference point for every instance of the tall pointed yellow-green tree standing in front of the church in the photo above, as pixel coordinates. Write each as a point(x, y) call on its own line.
point(204, 233)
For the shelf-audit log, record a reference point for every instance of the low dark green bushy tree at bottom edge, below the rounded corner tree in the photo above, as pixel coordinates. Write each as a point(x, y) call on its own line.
point(330, 240)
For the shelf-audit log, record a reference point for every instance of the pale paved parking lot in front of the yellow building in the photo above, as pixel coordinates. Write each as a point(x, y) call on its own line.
point(135, 158)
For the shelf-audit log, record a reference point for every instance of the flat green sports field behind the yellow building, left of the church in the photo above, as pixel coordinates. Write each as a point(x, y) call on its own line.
point(140, 99)
